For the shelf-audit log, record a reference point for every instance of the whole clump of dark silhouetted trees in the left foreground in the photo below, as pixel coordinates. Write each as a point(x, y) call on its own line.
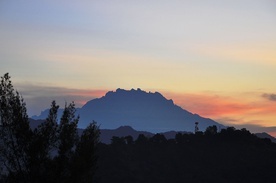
point(53, 152)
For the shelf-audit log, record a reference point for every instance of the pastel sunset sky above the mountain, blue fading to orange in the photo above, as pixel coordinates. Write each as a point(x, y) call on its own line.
point(214, 58)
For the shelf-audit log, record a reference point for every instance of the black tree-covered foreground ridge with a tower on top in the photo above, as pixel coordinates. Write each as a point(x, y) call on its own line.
point(229, 156)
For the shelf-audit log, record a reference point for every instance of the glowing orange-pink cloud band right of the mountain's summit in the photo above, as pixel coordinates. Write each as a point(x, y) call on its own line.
point(215, 106)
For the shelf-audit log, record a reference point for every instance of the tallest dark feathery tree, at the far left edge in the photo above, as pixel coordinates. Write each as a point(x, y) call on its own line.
point(14, 132)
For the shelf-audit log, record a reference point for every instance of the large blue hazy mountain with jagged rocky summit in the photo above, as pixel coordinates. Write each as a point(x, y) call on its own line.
point(139, 109)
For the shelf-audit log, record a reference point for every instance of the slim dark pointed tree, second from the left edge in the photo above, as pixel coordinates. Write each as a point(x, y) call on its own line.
point(42, 147)
